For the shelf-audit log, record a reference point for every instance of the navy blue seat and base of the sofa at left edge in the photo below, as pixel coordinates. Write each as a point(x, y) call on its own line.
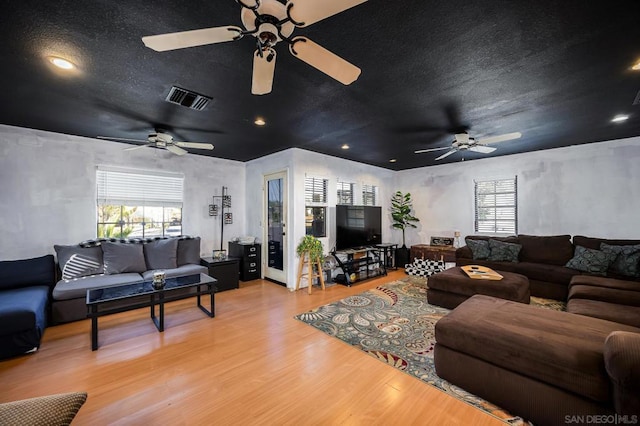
point(23, 313)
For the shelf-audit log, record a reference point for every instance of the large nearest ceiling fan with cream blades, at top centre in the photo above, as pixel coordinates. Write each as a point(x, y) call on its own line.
point(270, 22)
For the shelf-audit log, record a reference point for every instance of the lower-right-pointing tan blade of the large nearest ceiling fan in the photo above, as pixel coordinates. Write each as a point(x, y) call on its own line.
point(322, 59)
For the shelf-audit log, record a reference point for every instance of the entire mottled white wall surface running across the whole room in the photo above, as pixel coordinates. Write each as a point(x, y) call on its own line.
point(47, 191)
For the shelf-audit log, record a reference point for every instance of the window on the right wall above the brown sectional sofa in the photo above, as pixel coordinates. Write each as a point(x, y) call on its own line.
point(496, 206)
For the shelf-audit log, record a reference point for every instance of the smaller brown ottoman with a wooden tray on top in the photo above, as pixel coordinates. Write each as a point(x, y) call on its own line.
point(452, 287)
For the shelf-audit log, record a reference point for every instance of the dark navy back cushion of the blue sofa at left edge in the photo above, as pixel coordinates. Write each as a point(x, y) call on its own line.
point(27, 272)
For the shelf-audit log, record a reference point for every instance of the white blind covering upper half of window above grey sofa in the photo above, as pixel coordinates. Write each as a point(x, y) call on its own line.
point(124, 187)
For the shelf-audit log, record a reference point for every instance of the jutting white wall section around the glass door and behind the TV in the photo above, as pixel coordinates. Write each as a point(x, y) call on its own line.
point(300, 164)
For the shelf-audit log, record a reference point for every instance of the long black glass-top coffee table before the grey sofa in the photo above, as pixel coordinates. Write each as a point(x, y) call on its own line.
point(127, 297)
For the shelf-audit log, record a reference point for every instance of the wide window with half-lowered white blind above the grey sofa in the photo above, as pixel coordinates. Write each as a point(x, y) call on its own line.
point(138, 204)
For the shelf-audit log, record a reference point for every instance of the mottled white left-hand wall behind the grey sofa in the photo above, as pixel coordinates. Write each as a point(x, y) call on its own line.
point(48, 195)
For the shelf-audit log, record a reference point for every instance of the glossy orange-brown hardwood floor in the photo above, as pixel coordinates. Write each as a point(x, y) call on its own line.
point(251, 364)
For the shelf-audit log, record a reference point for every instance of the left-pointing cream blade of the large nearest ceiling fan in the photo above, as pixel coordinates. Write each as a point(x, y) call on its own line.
point(183, 39)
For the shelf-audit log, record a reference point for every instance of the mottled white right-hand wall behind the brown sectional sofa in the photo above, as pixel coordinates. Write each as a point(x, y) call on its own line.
point(591, 190)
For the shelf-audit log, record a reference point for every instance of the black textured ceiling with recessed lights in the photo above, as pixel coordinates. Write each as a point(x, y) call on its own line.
point(557, 71)
